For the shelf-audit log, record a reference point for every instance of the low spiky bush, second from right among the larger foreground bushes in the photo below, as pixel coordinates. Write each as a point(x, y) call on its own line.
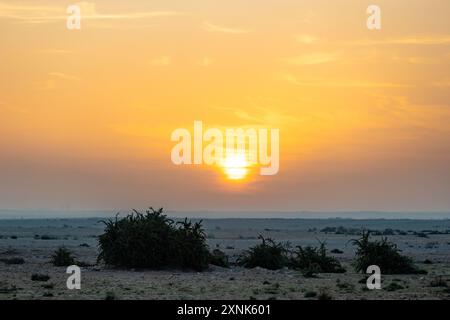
point(312, 260)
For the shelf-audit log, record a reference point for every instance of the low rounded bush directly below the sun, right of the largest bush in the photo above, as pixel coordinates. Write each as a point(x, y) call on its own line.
point(268, 254)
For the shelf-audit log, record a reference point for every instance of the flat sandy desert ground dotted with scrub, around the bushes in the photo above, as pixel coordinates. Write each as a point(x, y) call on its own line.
point(25, 239)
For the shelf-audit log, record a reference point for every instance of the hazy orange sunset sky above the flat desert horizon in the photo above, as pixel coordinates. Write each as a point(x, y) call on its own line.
point(86, 116)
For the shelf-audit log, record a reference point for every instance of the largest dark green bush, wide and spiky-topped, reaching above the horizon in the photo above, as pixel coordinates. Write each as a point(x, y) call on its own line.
point(153, 241)
